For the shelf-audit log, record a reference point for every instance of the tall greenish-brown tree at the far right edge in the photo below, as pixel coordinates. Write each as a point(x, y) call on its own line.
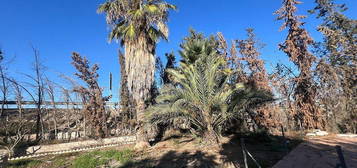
point(337, 68)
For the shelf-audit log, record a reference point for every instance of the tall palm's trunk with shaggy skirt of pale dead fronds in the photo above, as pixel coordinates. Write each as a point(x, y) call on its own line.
point(140, 68)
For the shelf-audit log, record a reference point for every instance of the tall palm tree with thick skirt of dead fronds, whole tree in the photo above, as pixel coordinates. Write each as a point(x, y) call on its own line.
point(138, 25)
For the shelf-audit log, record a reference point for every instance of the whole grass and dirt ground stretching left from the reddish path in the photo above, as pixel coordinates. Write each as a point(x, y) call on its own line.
point(178, 150)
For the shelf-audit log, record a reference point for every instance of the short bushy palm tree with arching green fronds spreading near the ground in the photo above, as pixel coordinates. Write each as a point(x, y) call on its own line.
point(202, 93)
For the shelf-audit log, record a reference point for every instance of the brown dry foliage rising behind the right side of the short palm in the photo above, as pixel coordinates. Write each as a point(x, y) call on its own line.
point(248, 57)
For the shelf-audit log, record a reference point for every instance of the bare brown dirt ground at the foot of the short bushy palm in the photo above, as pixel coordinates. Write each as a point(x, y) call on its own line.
point(185, 152)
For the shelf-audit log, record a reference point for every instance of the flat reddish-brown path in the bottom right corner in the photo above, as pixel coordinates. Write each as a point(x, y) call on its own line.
point(321, 153)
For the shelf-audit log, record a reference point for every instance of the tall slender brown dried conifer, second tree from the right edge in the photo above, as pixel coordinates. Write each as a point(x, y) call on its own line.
point(296, 46)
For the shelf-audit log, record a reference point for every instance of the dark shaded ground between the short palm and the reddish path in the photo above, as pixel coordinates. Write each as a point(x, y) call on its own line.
point(266, 149)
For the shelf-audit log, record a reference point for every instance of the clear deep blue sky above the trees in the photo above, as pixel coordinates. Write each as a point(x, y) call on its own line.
point(59, 27)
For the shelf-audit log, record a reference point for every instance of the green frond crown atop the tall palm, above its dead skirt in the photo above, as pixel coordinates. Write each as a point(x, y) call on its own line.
point(129, 18)
